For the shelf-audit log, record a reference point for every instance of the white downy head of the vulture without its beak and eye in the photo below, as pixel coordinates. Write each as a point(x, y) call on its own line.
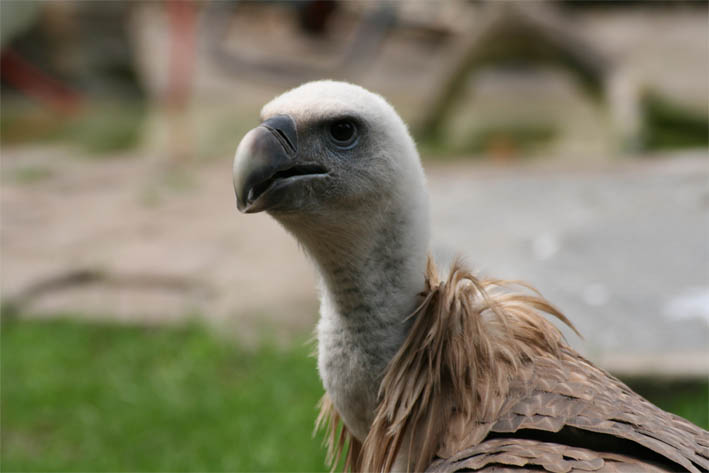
point(383, 170)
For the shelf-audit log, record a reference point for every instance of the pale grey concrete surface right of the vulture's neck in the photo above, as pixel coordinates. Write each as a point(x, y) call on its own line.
point(622, 250)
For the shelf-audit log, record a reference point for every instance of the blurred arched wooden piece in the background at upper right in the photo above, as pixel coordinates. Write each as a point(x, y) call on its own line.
point(535, 27)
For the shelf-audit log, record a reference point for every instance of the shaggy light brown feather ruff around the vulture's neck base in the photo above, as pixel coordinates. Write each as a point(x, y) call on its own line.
point(469, 338)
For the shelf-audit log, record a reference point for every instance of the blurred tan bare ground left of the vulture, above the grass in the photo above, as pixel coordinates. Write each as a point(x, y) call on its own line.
point(140, 241)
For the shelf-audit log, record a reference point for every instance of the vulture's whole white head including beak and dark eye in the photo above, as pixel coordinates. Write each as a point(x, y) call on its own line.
point(323, 150)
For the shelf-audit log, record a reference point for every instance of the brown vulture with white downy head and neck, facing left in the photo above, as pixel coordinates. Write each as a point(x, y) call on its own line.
point(423, 372)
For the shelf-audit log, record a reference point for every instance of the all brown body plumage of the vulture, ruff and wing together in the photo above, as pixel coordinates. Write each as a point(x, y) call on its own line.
point(481, 371)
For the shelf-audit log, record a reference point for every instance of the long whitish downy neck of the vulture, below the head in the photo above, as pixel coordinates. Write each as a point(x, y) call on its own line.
point(370, 281)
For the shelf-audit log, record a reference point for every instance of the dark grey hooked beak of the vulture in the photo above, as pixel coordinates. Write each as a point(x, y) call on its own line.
point(266, 162)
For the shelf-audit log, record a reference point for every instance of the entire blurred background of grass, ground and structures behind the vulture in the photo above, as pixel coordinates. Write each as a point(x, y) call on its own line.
point(148, 327)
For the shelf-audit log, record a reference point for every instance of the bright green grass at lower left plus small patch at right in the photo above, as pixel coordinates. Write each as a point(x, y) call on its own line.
point(87, 397)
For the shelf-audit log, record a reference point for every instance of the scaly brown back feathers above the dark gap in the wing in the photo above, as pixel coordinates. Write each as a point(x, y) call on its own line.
point(574, 393)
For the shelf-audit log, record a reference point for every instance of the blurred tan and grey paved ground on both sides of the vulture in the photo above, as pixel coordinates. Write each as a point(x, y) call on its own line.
point(620, 248)
